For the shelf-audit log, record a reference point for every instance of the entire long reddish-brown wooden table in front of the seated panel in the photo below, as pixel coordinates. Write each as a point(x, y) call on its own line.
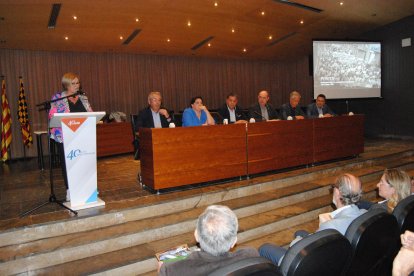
point(182, 156)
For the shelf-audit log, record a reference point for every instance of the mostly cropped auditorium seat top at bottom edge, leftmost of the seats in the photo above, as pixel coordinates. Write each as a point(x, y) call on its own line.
point(251, 266)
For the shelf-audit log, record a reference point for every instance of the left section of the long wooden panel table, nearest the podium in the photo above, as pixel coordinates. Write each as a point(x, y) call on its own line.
point(181, 156)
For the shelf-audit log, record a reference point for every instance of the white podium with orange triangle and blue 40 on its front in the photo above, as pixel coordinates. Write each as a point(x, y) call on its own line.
point(79, 142)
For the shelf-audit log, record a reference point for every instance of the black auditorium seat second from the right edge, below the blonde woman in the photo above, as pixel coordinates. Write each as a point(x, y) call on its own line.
point(375, 240)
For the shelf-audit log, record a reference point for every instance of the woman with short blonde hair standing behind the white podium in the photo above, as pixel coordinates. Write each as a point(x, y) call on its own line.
point(76, 102)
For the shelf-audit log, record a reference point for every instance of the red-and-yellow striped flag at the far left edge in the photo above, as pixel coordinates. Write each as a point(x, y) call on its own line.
point(5, 123)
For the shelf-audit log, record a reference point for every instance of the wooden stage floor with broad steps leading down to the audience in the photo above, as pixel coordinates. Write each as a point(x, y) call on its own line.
point(122, 237)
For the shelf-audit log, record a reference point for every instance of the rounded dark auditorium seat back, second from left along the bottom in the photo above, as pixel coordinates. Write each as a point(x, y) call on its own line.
point(326, 252)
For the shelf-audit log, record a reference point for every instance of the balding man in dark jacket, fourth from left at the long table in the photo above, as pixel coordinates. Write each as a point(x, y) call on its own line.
point(263, 111)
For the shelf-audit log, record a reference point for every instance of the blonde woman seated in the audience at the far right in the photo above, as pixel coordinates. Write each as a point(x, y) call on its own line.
point(394, 186)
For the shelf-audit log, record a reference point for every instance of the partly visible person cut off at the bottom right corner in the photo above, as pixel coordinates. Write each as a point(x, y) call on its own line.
point(403, 263)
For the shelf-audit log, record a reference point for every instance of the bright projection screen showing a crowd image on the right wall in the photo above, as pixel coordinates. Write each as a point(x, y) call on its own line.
point(340, 66)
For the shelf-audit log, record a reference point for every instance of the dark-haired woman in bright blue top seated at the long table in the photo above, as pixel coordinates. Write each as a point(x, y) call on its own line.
point(197, 114)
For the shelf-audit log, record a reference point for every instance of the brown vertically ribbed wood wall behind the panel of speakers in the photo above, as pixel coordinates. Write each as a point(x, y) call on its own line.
point(121, 82)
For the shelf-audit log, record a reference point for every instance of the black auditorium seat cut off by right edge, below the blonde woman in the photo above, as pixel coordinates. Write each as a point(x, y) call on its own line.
point(404, 213)
